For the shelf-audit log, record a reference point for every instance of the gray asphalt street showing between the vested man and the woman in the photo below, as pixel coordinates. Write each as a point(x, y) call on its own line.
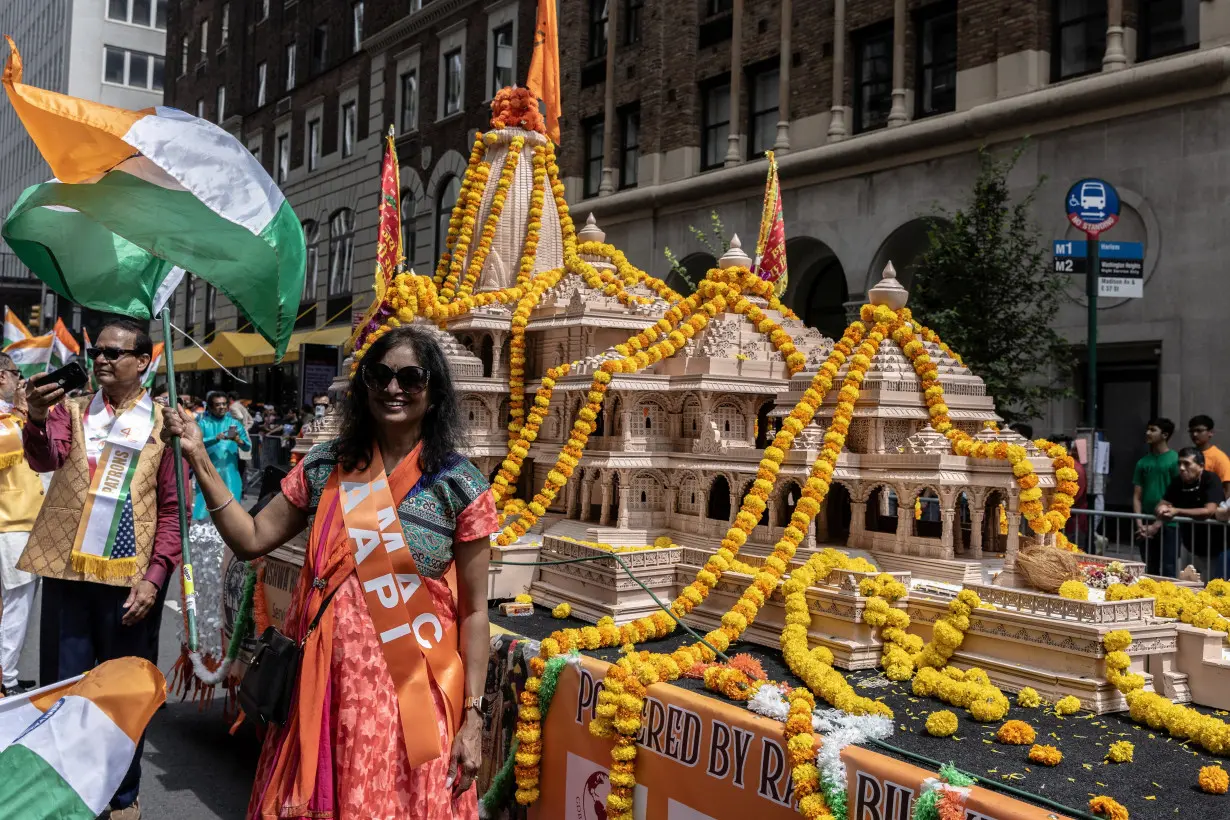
point(194, 770)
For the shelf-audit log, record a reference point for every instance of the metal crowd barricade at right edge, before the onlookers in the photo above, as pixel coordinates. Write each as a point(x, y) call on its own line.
point(1167, 549)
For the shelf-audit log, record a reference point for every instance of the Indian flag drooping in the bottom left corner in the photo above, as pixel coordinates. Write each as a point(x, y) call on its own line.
point(65, 749)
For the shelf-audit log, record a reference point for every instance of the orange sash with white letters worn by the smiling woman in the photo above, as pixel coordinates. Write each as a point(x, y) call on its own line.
point(414, 641)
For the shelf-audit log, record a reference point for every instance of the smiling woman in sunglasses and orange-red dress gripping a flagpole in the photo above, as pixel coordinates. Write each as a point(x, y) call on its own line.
point(400, 524)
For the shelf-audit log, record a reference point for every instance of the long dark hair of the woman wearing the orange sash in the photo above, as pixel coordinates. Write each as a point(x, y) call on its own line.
point(442, 425)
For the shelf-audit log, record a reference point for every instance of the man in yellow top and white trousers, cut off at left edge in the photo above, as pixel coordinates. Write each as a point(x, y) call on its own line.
point(22, 496)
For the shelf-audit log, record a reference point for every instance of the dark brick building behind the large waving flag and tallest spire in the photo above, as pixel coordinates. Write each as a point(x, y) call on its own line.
point(312, 87)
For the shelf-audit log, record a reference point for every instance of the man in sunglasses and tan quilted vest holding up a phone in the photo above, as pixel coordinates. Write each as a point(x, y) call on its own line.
point(108, 538)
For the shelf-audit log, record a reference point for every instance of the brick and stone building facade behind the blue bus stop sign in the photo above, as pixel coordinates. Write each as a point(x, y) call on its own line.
point(878, 109)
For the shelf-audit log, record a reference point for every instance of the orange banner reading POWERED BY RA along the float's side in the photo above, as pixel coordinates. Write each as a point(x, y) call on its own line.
point(703, 759)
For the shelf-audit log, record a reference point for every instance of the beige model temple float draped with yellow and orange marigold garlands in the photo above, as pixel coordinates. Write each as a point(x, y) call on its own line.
point(849, 502)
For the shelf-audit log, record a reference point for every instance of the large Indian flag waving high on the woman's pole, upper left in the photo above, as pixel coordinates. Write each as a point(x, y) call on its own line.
point(142, 196)
